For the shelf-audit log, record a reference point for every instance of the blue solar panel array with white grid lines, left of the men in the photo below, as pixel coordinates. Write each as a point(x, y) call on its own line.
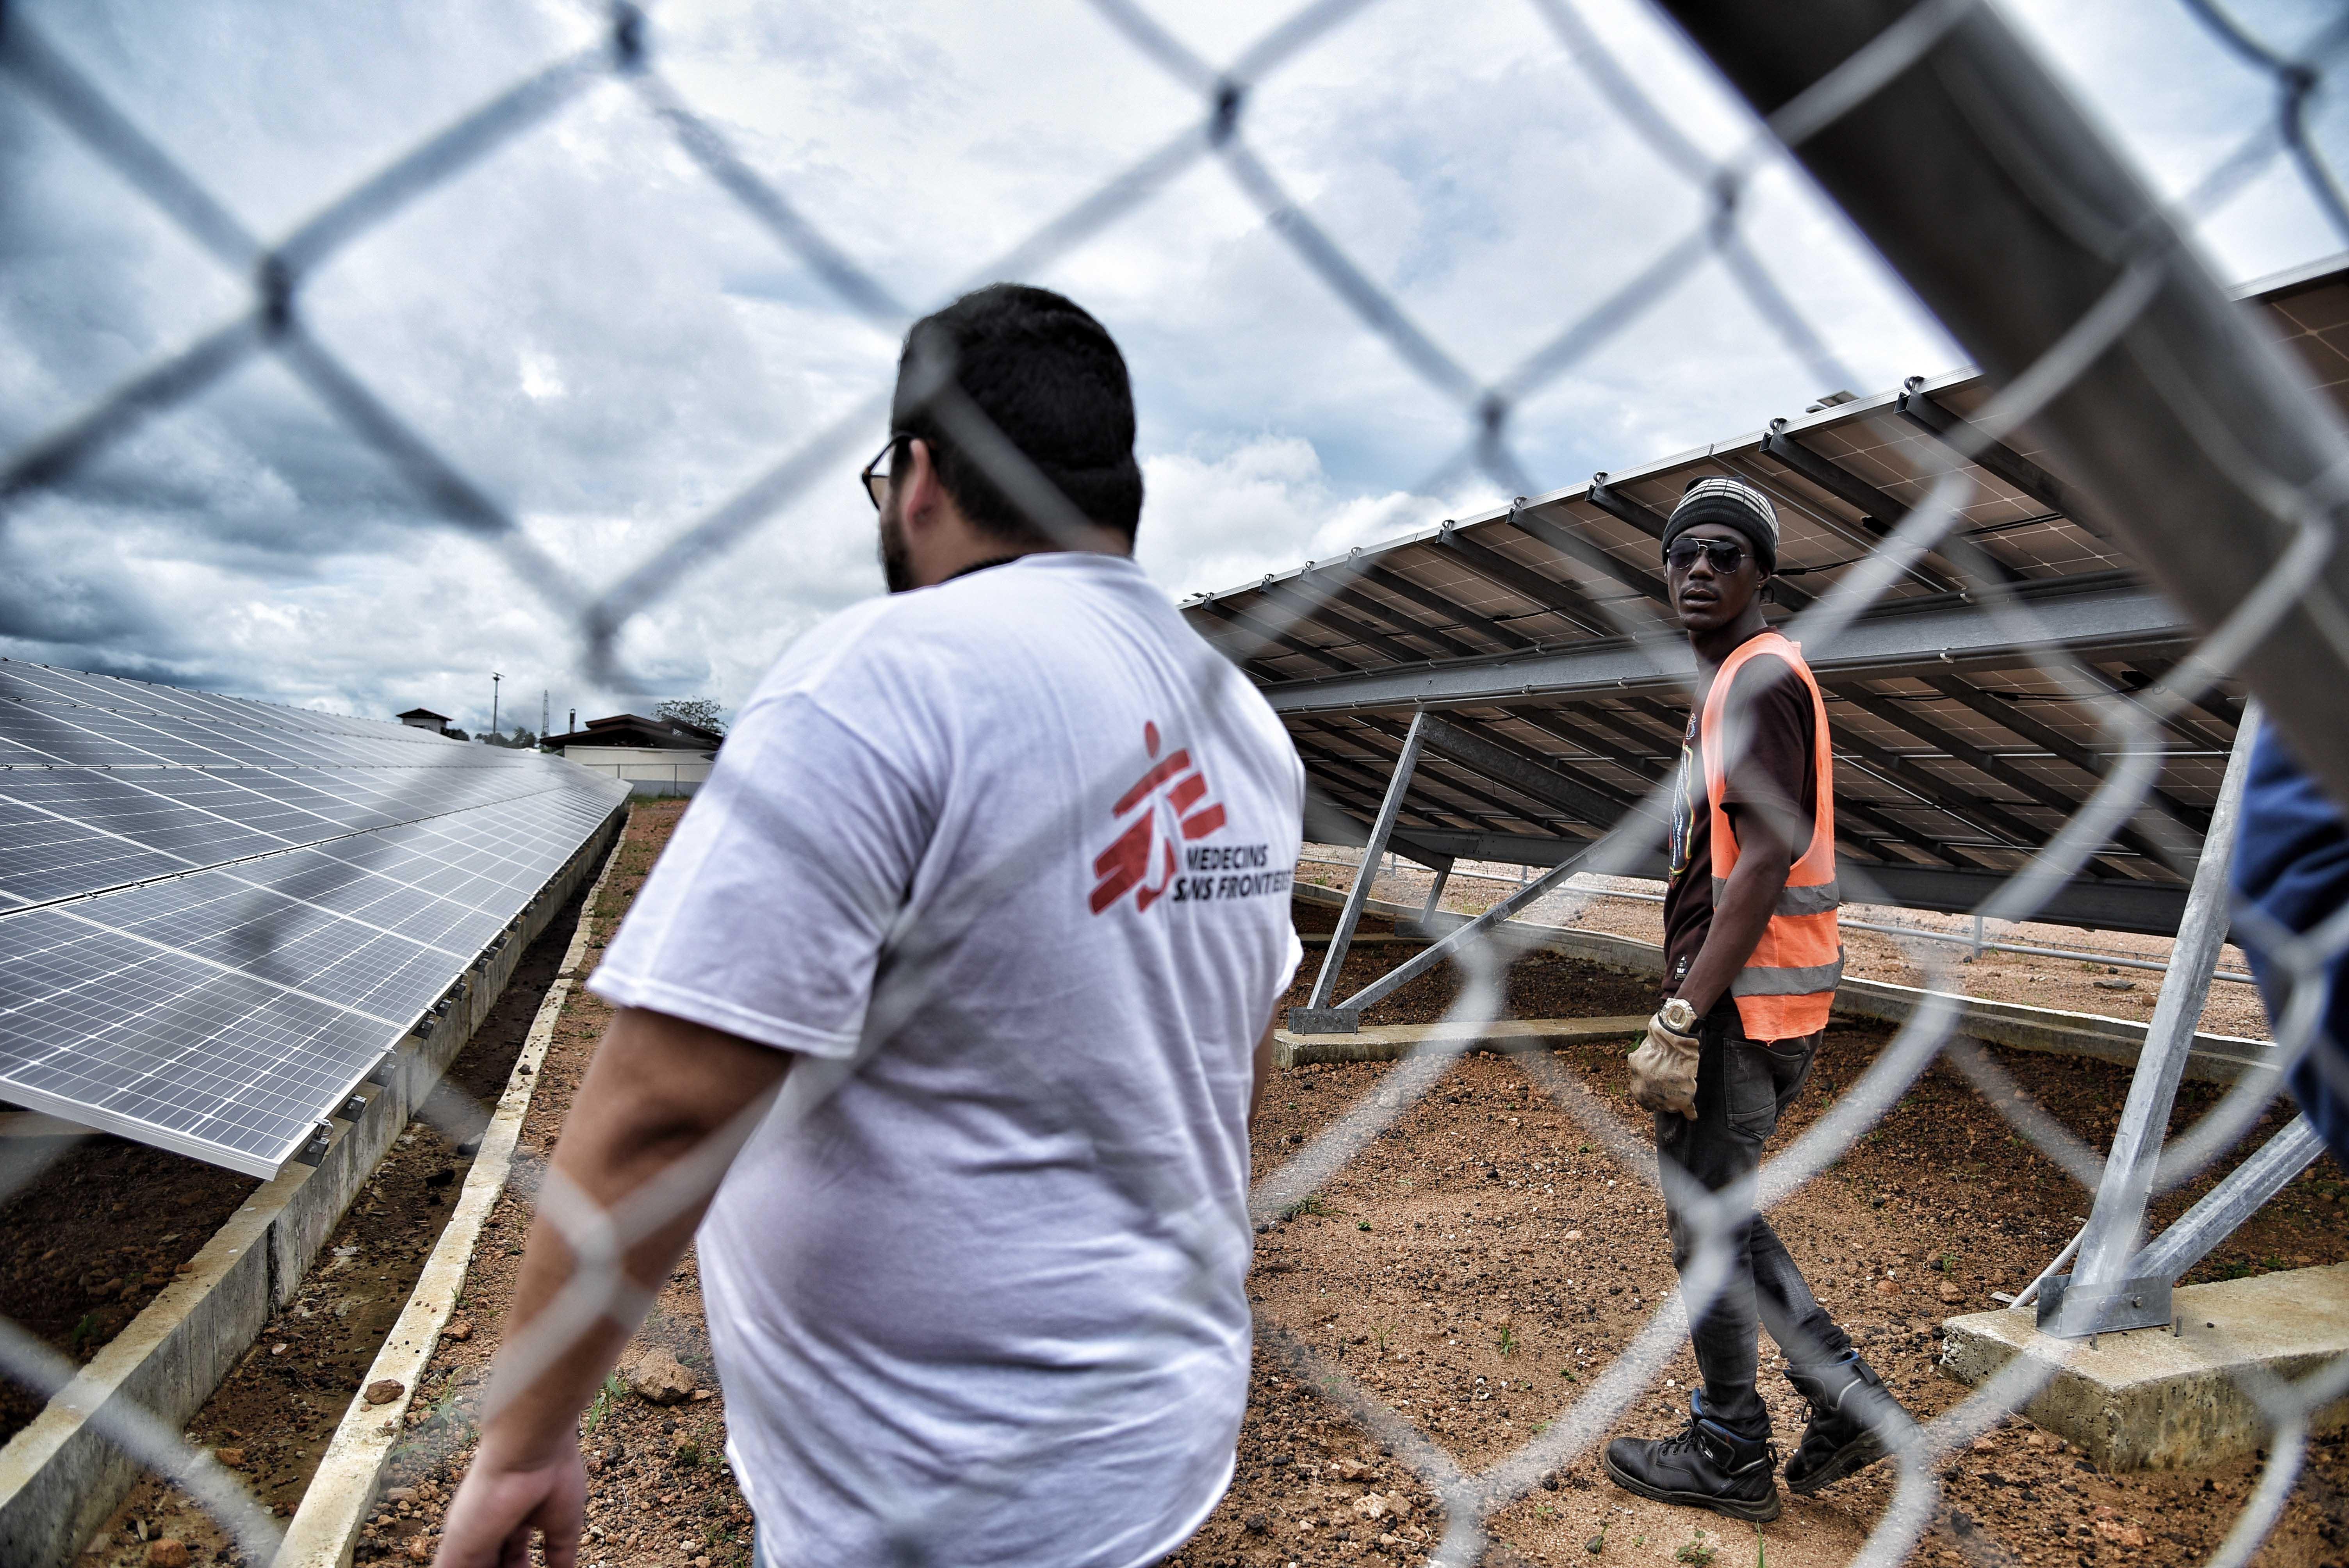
point(217, 914)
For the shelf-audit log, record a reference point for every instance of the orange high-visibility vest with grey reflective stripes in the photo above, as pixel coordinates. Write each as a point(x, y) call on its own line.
point(1786, 987)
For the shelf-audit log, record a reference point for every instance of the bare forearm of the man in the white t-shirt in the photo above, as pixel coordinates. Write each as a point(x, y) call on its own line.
point(657, 1093)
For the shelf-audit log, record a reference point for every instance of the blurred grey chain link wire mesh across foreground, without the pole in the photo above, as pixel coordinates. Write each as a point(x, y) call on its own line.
point(2303, 506)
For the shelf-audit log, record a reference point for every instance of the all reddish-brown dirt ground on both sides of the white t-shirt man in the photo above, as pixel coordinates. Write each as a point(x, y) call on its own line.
point(1476, 1266)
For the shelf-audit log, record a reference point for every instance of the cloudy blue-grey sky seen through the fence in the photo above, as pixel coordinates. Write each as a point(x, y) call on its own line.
point(607, 346)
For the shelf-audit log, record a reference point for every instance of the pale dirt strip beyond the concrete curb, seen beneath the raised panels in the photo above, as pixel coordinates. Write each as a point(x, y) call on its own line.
point(2000, 978)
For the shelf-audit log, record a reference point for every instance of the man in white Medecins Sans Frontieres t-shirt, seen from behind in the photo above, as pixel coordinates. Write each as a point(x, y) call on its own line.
point(992, 879)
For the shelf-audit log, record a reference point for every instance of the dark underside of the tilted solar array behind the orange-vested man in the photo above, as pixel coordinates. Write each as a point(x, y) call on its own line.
point(1540, 635)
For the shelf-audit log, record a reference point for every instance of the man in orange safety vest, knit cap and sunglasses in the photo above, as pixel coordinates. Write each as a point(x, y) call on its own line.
point(1751, 968)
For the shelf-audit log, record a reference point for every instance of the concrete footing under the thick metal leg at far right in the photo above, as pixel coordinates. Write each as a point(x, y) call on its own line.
point(2158, 1400)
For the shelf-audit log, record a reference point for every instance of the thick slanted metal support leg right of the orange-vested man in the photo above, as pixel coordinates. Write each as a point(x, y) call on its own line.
point(2108, 1292)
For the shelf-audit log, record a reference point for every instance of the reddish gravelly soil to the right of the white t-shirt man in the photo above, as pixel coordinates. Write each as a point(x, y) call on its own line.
point(1486, 1257)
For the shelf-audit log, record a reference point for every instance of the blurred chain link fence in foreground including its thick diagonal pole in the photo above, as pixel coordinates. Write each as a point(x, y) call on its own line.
point(1817, 83)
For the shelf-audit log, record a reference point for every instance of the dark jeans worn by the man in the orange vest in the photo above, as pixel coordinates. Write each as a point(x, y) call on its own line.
point(1742, 1090)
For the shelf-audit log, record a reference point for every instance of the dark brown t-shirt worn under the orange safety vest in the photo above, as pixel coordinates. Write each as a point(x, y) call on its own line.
point(1777, 769)
